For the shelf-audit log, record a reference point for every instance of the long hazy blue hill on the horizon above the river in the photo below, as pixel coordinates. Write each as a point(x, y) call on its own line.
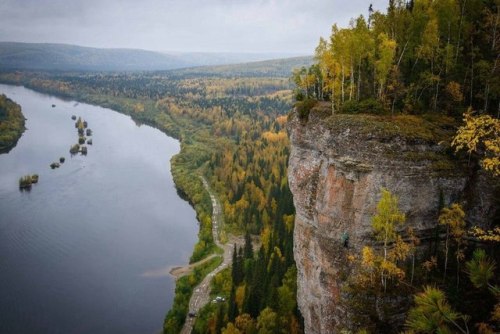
point(63, 57)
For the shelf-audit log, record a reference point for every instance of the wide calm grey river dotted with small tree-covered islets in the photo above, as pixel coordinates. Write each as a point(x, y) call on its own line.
point(86, 249)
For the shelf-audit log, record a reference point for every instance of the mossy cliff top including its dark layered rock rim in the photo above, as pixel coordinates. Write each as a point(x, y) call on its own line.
point(423, 140)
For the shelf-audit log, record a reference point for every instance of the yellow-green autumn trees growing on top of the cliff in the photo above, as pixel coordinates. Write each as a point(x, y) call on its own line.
point(421, 56)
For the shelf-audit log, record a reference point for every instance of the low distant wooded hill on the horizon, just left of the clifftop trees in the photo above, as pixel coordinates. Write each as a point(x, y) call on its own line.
point(267, 68)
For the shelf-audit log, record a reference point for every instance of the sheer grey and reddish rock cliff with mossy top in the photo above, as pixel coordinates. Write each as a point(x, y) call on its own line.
point(337, 167)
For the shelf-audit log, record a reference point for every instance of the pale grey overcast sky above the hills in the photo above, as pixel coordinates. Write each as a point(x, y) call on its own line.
point(282, 26)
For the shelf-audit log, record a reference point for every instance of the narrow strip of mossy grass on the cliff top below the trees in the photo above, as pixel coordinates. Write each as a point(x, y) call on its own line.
point(428, 128)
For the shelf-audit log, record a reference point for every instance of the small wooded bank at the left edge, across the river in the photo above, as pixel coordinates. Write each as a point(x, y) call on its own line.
point(12, 123)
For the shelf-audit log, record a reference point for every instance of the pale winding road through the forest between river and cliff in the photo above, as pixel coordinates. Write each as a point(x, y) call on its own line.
point(201, 294)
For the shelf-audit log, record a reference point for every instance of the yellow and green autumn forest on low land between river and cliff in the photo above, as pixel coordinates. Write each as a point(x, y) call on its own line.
point(232, 131)
